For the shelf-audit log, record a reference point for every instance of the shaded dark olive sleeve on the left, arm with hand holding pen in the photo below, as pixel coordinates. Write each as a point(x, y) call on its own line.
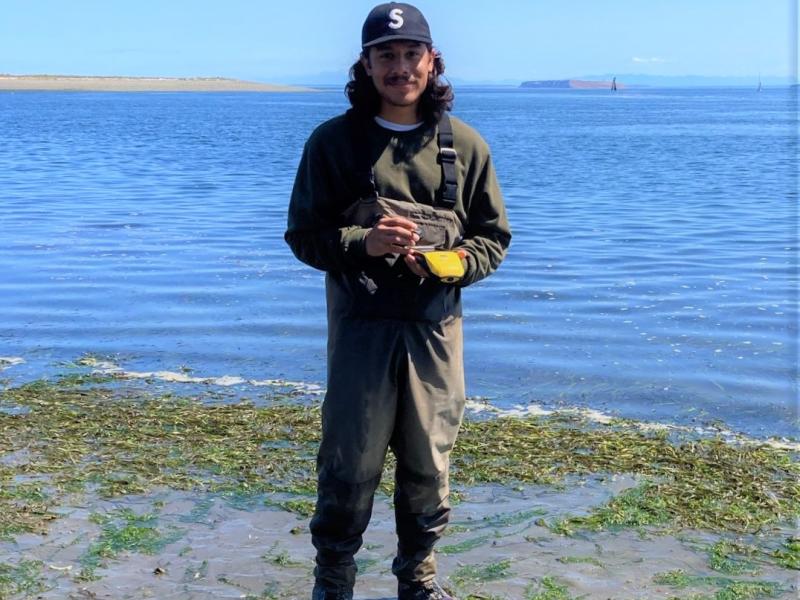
point(315, 232)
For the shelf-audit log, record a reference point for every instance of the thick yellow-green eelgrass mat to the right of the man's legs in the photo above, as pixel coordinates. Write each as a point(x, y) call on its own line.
point(703, 483)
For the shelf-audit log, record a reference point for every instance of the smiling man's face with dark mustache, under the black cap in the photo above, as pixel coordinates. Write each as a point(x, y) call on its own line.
point(400, 71)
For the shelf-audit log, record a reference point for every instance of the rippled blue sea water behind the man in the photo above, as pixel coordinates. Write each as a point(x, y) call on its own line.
point(652, 274)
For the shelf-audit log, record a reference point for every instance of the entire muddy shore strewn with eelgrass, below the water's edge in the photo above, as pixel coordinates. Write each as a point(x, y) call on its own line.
point(115, 484)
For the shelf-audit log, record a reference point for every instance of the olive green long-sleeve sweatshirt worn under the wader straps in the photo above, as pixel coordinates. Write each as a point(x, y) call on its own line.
point(406, 168)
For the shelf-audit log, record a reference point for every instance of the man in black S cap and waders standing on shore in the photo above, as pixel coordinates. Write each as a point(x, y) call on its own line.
point(375, 189)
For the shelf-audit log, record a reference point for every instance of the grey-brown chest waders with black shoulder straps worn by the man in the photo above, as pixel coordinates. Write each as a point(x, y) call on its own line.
point(395, 380)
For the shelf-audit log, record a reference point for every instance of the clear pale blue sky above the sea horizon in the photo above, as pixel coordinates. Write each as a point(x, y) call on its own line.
point(482, 41)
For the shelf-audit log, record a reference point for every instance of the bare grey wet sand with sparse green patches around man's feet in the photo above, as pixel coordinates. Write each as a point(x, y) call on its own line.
point(498, 547)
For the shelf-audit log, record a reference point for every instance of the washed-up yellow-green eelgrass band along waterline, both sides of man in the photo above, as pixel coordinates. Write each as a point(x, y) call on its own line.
point(72, 437)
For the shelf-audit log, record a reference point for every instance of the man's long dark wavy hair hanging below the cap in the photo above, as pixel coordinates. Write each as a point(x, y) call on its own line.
point(365, 100)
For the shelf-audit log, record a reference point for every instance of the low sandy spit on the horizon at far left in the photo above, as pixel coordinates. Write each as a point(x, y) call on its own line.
point(68, 83)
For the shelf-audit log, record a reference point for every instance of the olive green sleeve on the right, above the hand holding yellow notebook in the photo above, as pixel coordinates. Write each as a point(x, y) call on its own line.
point(487, 233)
